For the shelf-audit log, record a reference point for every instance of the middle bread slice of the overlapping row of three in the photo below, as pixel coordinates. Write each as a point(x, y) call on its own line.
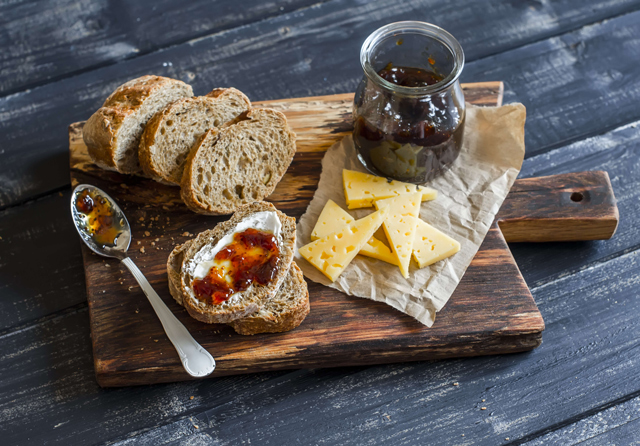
point(172, 132)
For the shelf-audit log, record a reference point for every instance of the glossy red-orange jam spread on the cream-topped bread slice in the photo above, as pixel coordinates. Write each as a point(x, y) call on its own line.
point(252, 257)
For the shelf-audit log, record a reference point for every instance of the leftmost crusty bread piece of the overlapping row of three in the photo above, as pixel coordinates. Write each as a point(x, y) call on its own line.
point(112, 134)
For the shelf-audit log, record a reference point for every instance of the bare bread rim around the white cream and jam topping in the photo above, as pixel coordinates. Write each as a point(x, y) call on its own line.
point(249, 301)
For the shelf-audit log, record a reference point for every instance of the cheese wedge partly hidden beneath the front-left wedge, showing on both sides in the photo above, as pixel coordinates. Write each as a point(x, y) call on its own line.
point(333, 218)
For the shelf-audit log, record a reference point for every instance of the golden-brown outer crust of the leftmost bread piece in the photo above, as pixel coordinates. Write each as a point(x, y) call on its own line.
point(100, 132)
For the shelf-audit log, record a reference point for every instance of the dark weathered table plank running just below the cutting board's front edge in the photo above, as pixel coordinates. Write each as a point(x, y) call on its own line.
point(589, 358)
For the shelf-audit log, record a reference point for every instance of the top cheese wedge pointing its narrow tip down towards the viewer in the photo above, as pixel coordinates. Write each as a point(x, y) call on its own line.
point(400, 226)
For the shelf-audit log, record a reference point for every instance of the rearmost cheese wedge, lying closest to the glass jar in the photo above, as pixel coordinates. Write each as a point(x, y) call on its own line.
point(362, 189)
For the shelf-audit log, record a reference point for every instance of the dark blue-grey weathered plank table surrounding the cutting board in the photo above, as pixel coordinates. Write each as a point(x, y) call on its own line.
point(574, 64)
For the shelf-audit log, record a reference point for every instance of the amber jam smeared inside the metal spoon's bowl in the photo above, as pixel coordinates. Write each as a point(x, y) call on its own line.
point(99, 218)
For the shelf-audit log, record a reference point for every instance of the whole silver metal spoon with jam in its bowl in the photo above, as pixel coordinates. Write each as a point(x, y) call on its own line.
point(105, 229)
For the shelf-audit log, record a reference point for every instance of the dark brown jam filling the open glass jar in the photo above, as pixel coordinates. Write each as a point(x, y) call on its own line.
point(408, 137)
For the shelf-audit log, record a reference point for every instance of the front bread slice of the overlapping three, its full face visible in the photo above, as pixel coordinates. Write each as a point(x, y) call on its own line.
point(240, 163)
